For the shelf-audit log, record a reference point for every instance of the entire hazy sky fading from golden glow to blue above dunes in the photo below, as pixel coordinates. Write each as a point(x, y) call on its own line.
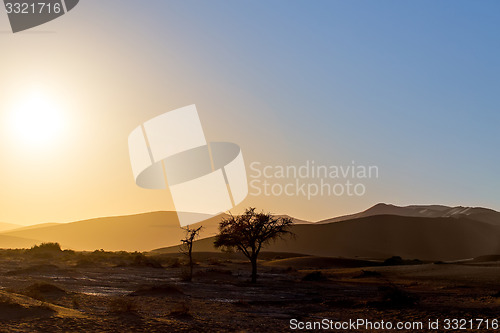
point(409, 87)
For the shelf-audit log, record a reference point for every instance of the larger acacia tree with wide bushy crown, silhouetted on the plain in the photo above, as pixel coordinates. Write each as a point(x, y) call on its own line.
point(248, 232)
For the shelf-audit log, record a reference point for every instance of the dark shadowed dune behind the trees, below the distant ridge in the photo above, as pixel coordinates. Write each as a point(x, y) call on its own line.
point(383, 236)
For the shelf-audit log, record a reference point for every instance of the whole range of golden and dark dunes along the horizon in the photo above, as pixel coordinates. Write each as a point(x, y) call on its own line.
point(425, 232)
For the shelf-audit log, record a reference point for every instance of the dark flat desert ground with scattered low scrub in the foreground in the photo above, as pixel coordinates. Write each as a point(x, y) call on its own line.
point(48, 290)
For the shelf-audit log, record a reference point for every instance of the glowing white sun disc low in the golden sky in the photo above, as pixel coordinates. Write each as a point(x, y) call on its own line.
point(36, 120)
